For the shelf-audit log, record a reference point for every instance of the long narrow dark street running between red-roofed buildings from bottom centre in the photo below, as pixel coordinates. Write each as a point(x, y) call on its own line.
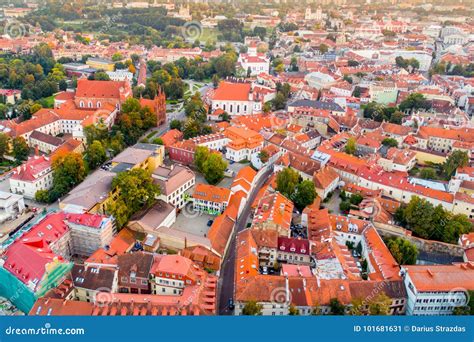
point(226, 281)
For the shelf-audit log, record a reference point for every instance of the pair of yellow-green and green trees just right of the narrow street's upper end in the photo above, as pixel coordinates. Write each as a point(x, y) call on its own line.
point(301, 192)
